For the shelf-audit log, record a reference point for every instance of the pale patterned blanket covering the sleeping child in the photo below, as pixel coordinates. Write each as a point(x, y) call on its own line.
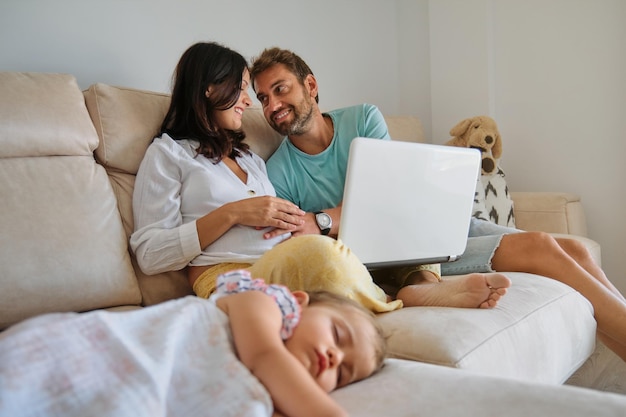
point(174, 359)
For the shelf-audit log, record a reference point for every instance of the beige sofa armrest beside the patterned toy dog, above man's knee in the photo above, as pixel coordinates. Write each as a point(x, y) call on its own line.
point(549, 212)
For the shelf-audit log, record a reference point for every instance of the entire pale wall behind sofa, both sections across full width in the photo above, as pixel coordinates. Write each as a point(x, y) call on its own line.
point(550, 72)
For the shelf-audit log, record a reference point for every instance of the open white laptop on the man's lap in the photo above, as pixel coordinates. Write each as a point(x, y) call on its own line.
point(407, 203)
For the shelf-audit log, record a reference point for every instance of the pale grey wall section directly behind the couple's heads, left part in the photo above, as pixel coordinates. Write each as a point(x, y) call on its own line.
point(138, 42)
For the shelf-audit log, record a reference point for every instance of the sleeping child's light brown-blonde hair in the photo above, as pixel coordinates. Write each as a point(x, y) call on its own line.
point(342, 302)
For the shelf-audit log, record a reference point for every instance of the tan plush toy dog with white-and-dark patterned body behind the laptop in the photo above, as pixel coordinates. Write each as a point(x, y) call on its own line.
point(492, 201)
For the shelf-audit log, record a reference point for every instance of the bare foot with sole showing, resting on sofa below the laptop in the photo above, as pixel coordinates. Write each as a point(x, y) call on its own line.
point(466, 291)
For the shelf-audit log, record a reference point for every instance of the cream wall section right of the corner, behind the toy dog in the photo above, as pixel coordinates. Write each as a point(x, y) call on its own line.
point(552, 75)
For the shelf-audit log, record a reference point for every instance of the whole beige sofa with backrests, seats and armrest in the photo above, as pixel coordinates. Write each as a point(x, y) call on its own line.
point(67, 165)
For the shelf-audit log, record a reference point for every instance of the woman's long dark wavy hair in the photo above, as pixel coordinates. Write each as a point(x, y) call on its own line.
point(190, 115)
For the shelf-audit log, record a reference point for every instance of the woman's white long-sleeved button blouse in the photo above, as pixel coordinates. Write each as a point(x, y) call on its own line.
point(175, 187)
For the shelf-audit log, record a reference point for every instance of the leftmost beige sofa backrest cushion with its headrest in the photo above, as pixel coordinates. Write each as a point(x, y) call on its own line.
point(62, 246)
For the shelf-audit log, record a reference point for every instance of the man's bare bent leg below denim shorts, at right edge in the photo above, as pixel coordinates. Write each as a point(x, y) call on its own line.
point(541, 254)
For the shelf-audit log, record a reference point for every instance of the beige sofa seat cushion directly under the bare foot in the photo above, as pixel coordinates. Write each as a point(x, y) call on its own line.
point(541, 331)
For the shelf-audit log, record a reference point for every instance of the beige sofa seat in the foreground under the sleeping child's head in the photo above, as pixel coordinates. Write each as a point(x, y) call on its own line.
point(407, 389)
